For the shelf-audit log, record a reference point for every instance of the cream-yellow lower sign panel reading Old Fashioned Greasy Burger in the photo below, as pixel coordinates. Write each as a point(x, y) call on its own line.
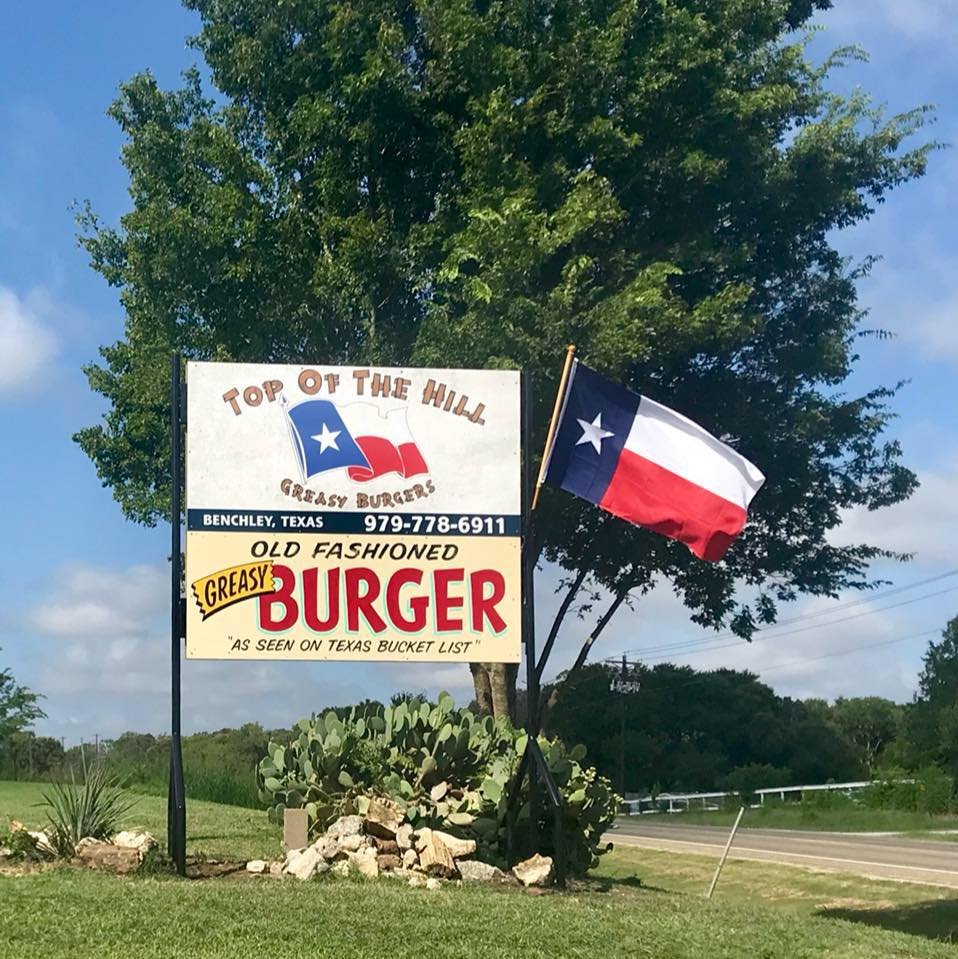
point(355, 597)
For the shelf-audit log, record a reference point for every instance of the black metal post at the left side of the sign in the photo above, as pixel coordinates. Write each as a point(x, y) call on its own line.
point(176, 800)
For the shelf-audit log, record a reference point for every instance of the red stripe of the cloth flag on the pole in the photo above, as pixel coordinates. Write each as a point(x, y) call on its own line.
point(645, 493)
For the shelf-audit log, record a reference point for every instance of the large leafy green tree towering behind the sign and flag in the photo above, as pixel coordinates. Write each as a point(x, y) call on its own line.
point(479, 183)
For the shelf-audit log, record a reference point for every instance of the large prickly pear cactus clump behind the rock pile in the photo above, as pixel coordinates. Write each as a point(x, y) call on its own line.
point(446, 767)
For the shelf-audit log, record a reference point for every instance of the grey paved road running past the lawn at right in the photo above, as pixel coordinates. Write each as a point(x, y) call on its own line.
point(877, 855)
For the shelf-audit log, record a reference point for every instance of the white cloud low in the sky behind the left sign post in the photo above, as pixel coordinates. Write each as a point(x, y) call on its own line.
point(106, 664)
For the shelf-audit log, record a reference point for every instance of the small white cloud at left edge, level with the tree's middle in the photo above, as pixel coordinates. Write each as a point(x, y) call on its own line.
point(27, 344)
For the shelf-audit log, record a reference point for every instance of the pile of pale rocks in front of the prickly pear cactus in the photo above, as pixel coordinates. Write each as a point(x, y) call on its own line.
point(382, 842)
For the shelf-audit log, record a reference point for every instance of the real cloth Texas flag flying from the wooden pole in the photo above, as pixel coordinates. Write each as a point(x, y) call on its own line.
point(649, 465)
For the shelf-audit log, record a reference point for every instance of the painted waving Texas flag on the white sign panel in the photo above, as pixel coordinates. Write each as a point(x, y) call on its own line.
point(355, 437)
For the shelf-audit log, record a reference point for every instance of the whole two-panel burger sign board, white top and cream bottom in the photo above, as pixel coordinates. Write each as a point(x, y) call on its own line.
point(352, 513)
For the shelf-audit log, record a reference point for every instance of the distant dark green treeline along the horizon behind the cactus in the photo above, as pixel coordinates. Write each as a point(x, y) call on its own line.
point(684, 731)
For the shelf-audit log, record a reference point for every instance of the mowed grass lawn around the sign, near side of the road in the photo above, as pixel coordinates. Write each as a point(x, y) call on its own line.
point(644, 903)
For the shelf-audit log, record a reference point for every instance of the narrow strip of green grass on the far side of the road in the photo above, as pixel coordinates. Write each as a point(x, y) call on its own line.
point(808, 817)
